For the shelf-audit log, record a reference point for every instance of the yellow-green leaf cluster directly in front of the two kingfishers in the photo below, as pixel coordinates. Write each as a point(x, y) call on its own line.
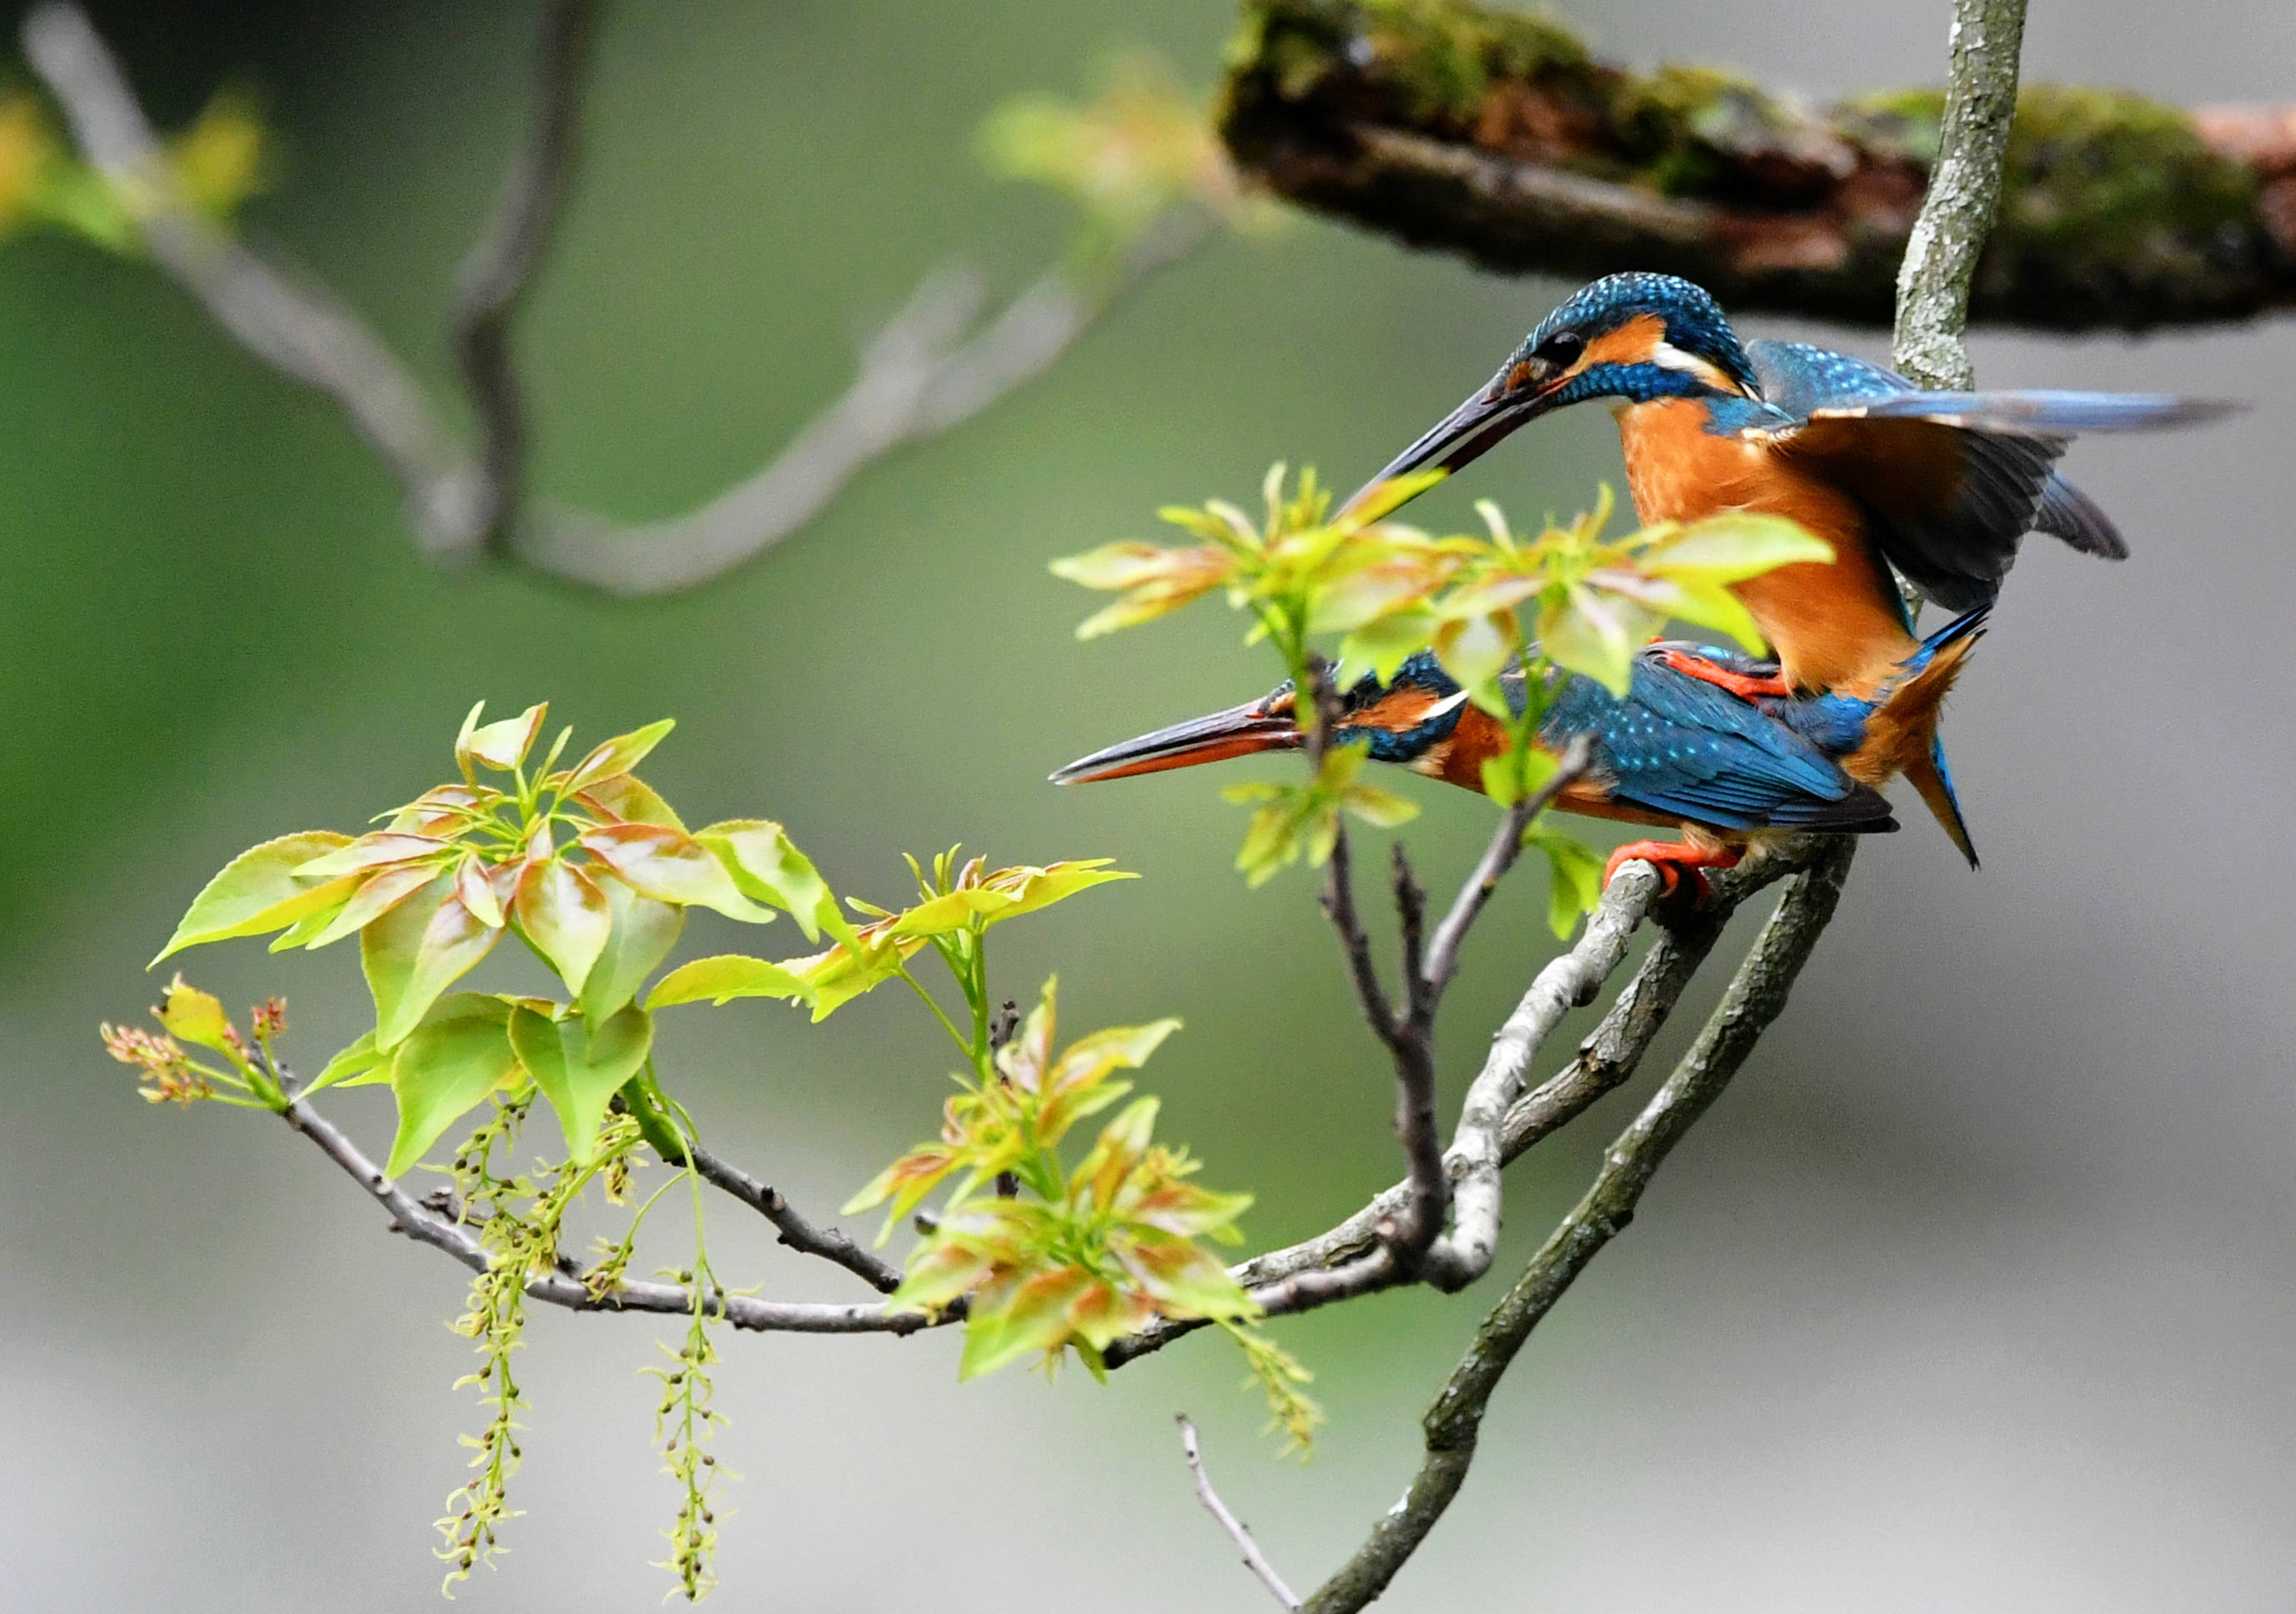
point(1505, 614)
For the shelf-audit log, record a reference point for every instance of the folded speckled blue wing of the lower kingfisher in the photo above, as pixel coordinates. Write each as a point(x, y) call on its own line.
point(1691, 750)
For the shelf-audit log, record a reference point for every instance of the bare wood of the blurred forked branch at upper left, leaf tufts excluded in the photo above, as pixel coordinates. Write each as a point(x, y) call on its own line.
point(926, 373)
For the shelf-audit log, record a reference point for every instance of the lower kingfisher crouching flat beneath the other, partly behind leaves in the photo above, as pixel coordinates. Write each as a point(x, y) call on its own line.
point(1684, 747)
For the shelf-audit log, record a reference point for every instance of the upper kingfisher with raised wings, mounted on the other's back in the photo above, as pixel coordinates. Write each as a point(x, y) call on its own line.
point(1939, 486)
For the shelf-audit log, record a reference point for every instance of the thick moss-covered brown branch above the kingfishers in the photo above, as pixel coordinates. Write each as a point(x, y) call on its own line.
point(1498, 137)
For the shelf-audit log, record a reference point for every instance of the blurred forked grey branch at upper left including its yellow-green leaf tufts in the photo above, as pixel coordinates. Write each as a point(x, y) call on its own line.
point(1142, 164)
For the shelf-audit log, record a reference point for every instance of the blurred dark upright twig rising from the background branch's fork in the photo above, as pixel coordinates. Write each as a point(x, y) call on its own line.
point(504, 263)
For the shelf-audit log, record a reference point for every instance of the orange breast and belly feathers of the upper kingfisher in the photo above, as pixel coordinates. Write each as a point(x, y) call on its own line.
point(1833, 628)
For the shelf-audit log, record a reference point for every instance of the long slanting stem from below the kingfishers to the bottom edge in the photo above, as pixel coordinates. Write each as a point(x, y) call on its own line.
point(1753, 1002)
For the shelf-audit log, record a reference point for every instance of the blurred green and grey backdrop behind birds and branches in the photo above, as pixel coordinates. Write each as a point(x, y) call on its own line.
point(1978, 1291)
